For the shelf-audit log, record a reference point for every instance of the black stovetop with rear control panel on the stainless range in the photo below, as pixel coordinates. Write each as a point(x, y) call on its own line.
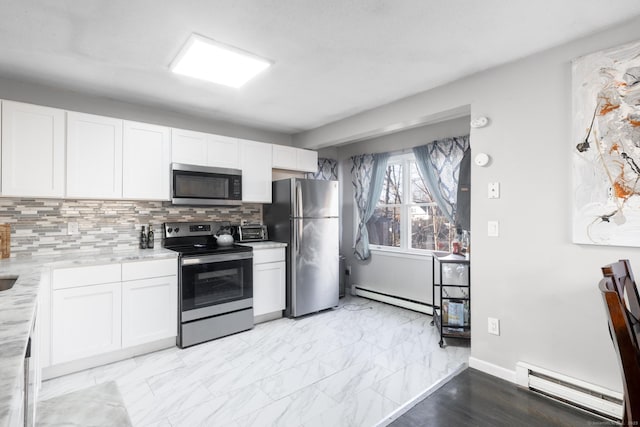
point(197, 238)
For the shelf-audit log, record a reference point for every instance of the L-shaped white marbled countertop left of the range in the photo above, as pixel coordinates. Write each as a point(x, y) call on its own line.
point(18, 306)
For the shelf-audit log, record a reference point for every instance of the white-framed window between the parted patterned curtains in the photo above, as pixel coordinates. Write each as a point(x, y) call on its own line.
point(406, 216)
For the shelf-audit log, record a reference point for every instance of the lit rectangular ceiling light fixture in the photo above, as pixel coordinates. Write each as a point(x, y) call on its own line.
point(208, 60)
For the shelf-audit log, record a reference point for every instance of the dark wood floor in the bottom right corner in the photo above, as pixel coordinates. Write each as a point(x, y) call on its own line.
point(474, 398)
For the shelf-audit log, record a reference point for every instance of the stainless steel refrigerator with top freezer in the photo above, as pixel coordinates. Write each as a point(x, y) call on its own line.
point(304, 214)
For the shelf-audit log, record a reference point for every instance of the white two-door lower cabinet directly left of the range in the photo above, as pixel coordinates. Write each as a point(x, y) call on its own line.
point(138, 305)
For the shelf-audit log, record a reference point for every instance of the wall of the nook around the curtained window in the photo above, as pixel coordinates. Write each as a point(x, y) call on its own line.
point(405, 277)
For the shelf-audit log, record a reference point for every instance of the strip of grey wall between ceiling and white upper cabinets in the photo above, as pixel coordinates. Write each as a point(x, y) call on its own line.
point(39, 94)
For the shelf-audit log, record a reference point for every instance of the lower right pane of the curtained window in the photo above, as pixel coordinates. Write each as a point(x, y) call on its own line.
point(430, 229)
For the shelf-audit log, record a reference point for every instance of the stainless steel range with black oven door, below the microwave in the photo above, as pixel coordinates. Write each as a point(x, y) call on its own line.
point(215, 283)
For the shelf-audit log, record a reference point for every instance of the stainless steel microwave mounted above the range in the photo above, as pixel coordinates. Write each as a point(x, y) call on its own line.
point(202, 185)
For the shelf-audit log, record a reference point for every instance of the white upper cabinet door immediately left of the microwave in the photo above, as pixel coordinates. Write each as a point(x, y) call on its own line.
point(146, 161)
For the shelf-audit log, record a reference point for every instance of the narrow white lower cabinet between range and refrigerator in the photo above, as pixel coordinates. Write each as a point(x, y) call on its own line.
point(269, 279)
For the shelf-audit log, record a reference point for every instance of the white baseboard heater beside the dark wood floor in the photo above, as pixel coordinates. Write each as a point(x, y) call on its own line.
point(580, 394)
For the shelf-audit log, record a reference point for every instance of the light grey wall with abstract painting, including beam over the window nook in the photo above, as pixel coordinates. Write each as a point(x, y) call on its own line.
point(541, 286)
